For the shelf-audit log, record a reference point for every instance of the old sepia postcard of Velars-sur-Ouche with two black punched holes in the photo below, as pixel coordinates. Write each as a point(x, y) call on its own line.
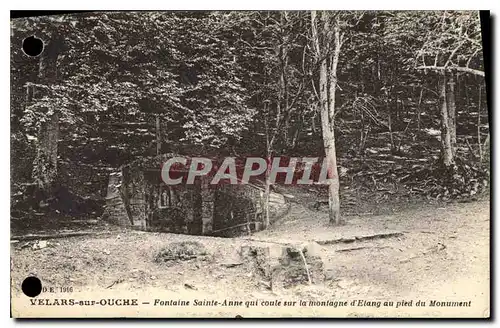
point(250, 164)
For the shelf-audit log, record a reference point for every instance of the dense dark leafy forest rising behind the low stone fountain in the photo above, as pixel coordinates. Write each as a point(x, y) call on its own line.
point(394, 100)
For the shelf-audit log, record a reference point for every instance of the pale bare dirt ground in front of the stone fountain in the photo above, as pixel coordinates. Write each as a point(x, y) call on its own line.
point(438, 252)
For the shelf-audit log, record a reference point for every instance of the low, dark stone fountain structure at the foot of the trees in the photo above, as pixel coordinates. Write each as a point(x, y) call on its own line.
point(138, 198)
